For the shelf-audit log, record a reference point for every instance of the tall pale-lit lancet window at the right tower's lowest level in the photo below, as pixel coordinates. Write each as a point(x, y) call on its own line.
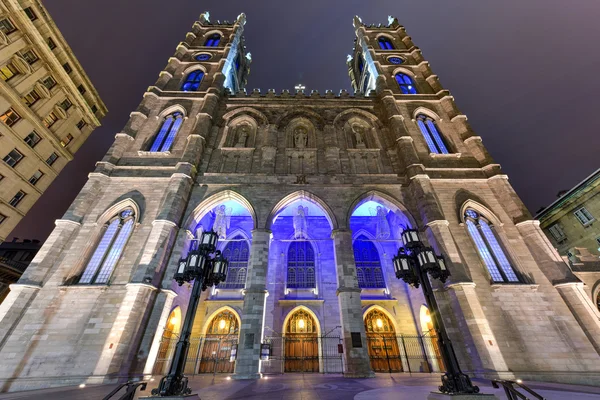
point(489, 248)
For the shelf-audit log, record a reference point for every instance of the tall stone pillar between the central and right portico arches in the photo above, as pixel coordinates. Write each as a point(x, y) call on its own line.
point(356, 355)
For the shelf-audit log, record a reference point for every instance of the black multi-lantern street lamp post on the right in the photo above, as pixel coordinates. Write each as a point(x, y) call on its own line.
point(412, 264)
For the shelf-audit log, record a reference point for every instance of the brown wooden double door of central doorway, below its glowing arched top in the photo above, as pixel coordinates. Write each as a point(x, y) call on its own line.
point(301, 353)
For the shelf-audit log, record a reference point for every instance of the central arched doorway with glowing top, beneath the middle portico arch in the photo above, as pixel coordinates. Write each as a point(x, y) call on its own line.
point(301, 343)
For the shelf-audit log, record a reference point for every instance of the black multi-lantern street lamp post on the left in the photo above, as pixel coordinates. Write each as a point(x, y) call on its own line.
point(205, 271)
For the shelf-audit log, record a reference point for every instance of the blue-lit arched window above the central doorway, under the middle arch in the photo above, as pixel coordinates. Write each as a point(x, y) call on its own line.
point(301, 265)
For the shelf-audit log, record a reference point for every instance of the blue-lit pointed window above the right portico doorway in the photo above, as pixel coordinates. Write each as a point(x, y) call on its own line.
point(368, 264)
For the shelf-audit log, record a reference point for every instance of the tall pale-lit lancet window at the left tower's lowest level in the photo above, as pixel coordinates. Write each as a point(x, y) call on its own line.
point(109, 249)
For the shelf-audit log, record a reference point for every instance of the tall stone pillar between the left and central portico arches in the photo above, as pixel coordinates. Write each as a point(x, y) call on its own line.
point(247, 365)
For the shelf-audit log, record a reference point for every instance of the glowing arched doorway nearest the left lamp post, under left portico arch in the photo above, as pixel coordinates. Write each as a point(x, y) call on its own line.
point(220, 339)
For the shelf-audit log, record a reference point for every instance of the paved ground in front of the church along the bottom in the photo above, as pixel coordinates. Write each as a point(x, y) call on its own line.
point(314, 386)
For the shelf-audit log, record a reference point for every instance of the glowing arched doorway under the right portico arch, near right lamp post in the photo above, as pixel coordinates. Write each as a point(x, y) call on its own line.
point(382, 342)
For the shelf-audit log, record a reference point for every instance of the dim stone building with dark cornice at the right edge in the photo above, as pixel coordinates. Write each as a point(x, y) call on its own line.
point(570, 223)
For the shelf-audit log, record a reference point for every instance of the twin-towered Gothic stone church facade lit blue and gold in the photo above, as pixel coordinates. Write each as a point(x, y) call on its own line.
point(309, 194)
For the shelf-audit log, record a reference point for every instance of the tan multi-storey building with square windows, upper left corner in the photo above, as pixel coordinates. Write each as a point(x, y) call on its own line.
point(48, 107)
